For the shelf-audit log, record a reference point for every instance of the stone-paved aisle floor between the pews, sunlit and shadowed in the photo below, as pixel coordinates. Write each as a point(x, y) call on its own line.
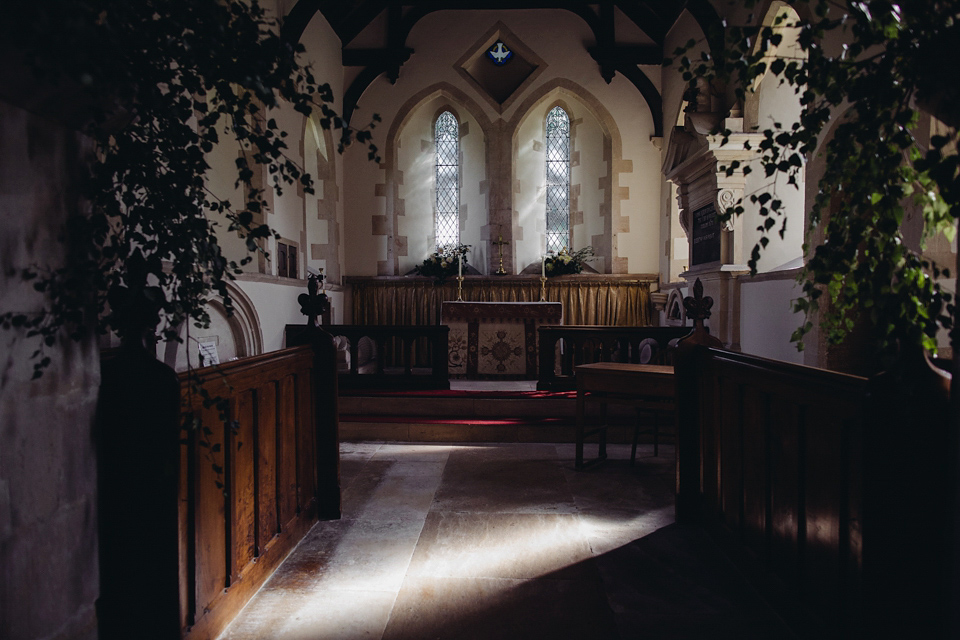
point(503, 541)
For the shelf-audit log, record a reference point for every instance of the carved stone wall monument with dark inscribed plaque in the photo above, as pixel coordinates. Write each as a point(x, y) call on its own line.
point(708, 172)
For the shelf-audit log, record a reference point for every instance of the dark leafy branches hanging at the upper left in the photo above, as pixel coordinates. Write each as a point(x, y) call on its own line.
point(162, 82)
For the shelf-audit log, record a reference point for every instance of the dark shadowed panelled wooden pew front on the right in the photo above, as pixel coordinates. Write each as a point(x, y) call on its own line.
point(831, 491)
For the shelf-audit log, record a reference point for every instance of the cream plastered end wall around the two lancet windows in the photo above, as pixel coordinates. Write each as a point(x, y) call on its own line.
point(555, 36)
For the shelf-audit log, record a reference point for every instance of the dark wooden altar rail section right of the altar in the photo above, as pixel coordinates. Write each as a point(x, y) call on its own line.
point(562, 348)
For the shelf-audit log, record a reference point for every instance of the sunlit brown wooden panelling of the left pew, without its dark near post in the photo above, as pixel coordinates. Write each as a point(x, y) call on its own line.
point(248, 492)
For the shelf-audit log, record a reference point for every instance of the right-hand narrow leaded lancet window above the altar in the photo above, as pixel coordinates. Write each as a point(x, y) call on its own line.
point(558, 179)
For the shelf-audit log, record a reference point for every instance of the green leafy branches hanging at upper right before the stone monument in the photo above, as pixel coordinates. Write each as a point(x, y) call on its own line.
point(864, 96)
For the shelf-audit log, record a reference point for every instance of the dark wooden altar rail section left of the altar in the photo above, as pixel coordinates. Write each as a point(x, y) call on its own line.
point(383, 356)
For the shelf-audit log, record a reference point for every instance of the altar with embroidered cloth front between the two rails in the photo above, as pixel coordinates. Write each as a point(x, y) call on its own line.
point(496, 340)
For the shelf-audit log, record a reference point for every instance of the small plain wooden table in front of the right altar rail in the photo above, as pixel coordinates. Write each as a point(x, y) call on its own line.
point(647, 387)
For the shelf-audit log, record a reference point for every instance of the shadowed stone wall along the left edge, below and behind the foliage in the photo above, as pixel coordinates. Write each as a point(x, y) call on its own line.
point(48, 516)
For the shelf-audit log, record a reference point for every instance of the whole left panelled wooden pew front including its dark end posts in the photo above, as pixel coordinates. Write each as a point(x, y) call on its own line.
point(207, 520)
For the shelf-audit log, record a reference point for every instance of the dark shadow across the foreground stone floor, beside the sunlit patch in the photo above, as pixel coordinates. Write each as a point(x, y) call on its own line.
point(673, 584)
